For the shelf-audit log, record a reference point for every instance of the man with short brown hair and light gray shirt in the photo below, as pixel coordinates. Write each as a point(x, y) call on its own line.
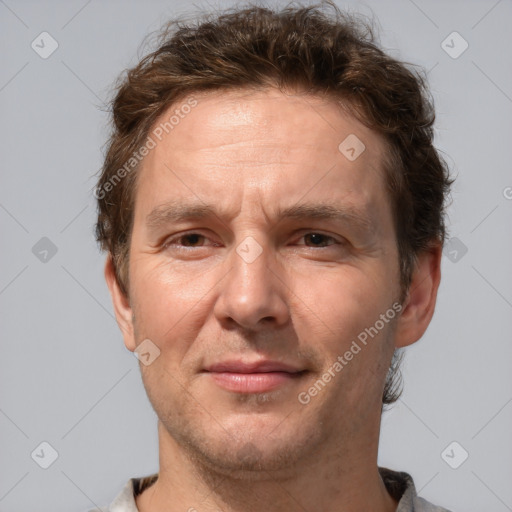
point(272, 208)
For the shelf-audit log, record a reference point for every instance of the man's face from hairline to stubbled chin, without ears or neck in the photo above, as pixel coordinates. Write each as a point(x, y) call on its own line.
point(253, 304)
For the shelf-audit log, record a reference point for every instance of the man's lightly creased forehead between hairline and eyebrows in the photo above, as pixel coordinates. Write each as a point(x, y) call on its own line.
point(259, 150)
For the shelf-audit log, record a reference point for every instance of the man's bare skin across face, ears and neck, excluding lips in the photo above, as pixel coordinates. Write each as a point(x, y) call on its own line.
point(302, 301)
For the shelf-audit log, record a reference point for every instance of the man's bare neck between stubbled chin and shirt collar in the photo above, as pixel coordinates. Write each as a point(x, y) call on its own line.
point(342, 479)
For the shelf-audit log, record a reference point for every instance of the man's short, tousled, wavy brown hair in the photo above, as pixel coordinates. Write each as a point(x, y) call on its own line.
point(315, 49)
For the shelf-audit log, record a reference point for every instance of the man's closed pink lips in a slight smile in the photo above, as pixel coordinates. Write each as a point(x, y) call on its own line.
point(260, 377)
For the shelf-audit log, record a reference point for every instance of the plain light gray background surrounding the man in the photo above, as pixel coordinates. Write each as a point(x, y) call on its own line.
point(65, 375)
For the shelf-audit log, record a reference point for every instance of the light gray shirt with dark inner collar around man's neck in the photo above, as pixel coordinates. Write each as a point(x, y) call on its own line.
point(400, 485)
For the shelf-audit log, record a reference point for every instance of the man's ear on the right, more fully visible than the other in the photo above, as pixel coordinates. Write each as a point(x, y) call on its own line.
point(420, 302)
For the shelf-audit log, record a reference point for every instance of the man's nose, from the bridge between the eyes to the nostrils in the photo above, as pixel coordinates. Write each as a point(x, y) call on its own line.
point(253, 293)
